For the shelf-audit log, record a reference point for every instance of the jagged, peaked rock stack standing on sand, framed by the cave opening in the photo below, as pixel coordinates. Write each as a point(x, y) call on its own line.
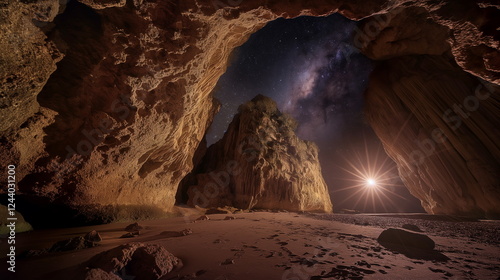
point(261, 163)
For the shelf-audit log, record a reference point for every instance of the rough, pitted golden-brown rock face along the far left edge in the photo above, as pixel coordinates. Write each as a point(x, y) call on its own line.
point(27, 60)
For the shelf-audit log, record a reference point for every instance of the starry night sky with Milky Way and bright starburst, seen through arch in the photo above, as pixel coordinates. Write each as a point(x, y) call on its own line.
point(310, 68)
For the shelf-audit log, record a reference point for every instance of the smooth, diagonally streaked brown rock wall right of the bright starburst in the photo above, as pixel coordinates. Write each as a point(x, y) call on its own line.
point(440, 125)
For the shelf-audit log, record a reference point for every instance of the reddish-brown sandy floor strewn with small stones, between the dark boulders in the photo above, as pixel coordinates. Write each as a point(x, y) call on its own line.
point(267, 245)
